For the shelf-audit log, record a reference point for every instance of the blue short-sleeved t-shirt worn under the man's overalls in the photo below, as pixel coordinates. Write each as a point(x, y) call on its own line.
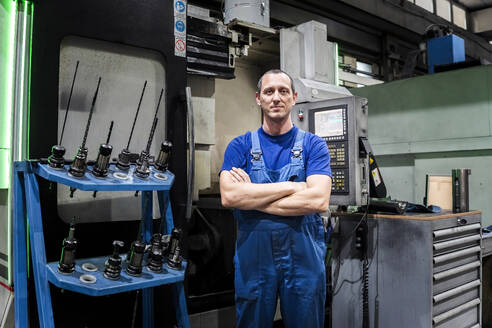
point(276, 151)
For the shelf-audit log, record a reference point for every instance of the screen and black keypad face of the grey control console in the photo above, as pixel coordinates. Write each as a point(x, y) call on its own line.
point(330, 123)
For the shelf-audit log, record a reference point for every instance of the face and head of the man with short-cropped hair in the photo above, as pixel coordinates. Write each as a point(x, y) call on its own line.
point(276, 97)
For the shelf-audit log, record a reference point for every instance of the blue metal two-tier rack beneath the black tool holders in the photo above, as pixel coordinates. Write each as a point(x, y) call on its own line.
point(27, 205)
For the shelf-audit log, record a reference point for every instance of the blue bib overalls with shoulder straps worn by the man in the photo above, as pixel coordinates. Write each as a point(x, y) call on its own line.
point(278, 255)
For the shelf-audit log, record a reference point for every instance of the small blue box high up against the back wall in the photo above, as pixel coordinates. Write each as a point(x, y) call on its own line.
point(447, 49)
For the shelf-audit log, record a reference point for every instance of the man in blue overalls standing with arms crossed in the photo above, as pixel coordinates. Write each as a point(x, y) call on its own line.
point(278, 178)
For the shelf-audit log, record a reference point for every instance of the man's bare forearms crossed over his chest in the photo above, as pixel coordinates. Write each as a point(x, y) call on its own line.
point(280, 198)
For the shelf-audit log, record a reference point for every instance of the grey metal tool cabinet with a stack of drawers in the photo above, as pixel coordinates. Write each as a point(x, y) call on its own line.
point(424, 271)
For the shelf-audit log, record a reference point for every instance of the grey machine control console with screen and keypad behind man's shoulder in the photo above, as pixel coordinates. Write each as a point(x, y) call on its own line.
point(342, 123)
